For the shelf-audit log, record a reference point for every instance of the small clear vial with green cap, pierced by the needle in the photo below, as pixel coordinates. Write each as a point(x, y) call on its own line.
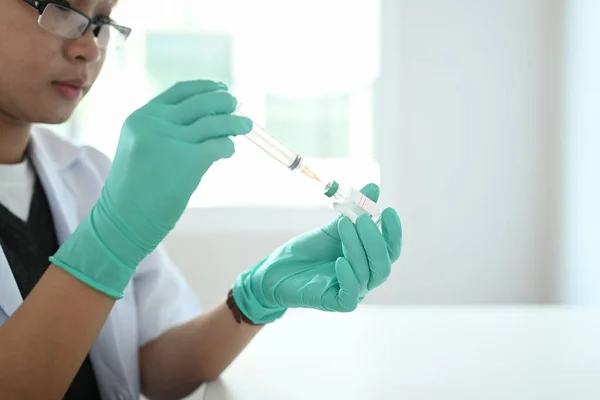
point(351, 202)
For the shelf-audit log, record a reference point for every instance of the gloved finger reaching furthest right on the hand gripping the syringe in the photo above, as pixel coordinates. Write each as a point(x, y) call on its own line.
point(216, 126)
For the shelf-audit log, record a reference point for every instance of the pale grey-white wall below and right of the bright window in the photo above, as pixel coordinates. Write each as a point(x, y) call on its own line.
point(468, 129)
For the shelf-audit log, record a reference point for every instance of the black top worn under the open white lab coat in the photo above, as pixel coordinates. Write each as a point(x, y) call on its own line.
point(27, 246)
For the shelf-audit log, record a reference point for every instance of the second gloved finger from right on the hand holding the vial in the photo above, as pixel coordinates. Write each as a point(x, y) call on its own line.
point(376, 251)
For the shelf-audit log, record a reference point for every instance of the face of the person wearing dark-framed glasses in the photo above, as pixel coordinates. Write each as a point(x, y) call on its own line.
point(39, 71)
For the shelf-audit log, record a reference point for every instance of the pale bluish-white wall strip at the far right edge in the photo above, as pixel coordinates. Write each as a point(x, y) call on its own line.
point(580, 268)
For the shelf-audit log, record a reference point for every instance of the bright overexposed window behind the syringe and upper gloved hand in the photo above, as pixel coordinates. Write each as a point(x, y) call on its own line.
point(303, 69)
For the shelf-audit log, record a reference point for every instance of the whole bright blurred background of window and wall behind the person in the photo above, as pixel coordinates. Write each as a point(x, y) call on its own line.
point(480, 120)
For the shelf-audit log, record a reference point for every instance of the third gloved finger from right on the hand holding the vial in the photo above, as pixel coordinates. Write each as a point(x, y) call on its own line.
point(353, 251)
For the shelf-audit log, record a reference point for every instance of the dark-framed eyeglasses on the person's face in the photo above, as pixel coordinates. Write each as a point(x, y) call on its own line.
point(58, 17)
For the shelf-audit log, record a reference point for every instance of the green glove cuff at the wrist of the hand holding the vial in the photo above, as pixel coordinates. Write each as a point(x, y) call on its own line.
point(249, 306)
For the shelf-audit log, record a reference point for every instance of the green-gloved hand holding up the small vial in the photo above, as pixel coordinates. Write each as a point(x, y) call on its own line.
point(330, 269)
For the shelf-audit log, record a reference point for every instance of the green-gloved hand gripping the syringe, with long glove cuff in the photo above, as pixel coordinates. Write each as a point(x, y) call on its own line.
point(164, 149)
